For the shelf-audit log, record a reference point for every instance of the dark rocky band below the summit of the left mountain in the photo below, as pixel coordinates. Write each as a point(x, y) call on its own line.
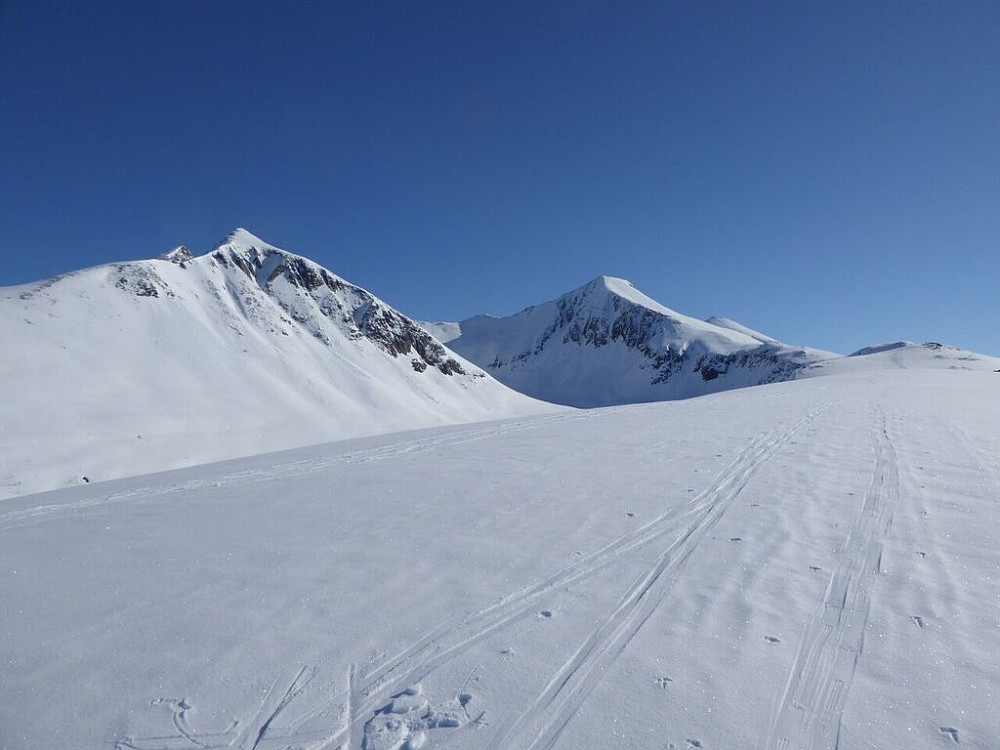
point(356, 311)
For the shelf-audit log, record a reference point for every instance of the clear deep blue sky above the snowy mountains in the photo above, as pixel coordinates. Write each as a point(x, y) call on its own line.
point(827, 172)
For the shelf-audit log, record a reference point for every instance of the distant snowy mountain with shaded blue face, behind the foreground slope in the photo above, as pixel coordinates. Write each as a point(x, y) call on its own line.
point(608, 343)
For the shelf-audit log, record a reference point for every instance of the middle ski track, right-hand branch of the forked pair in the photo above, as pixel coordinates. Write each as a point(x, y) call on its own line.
point(566, 690)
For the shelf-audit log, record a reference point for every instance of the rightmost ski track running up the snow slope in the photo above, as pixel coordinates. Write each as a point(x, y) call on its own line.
point(807, 715)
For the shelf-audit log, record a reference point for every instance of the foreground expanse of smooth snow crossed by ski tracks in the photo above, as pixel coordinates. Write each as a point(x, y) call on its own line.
point(810, 564)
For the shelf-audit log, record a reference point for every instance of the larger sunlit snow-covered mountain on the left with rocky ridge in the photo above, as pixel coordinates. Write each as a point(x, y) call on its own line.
point(143, 366)
